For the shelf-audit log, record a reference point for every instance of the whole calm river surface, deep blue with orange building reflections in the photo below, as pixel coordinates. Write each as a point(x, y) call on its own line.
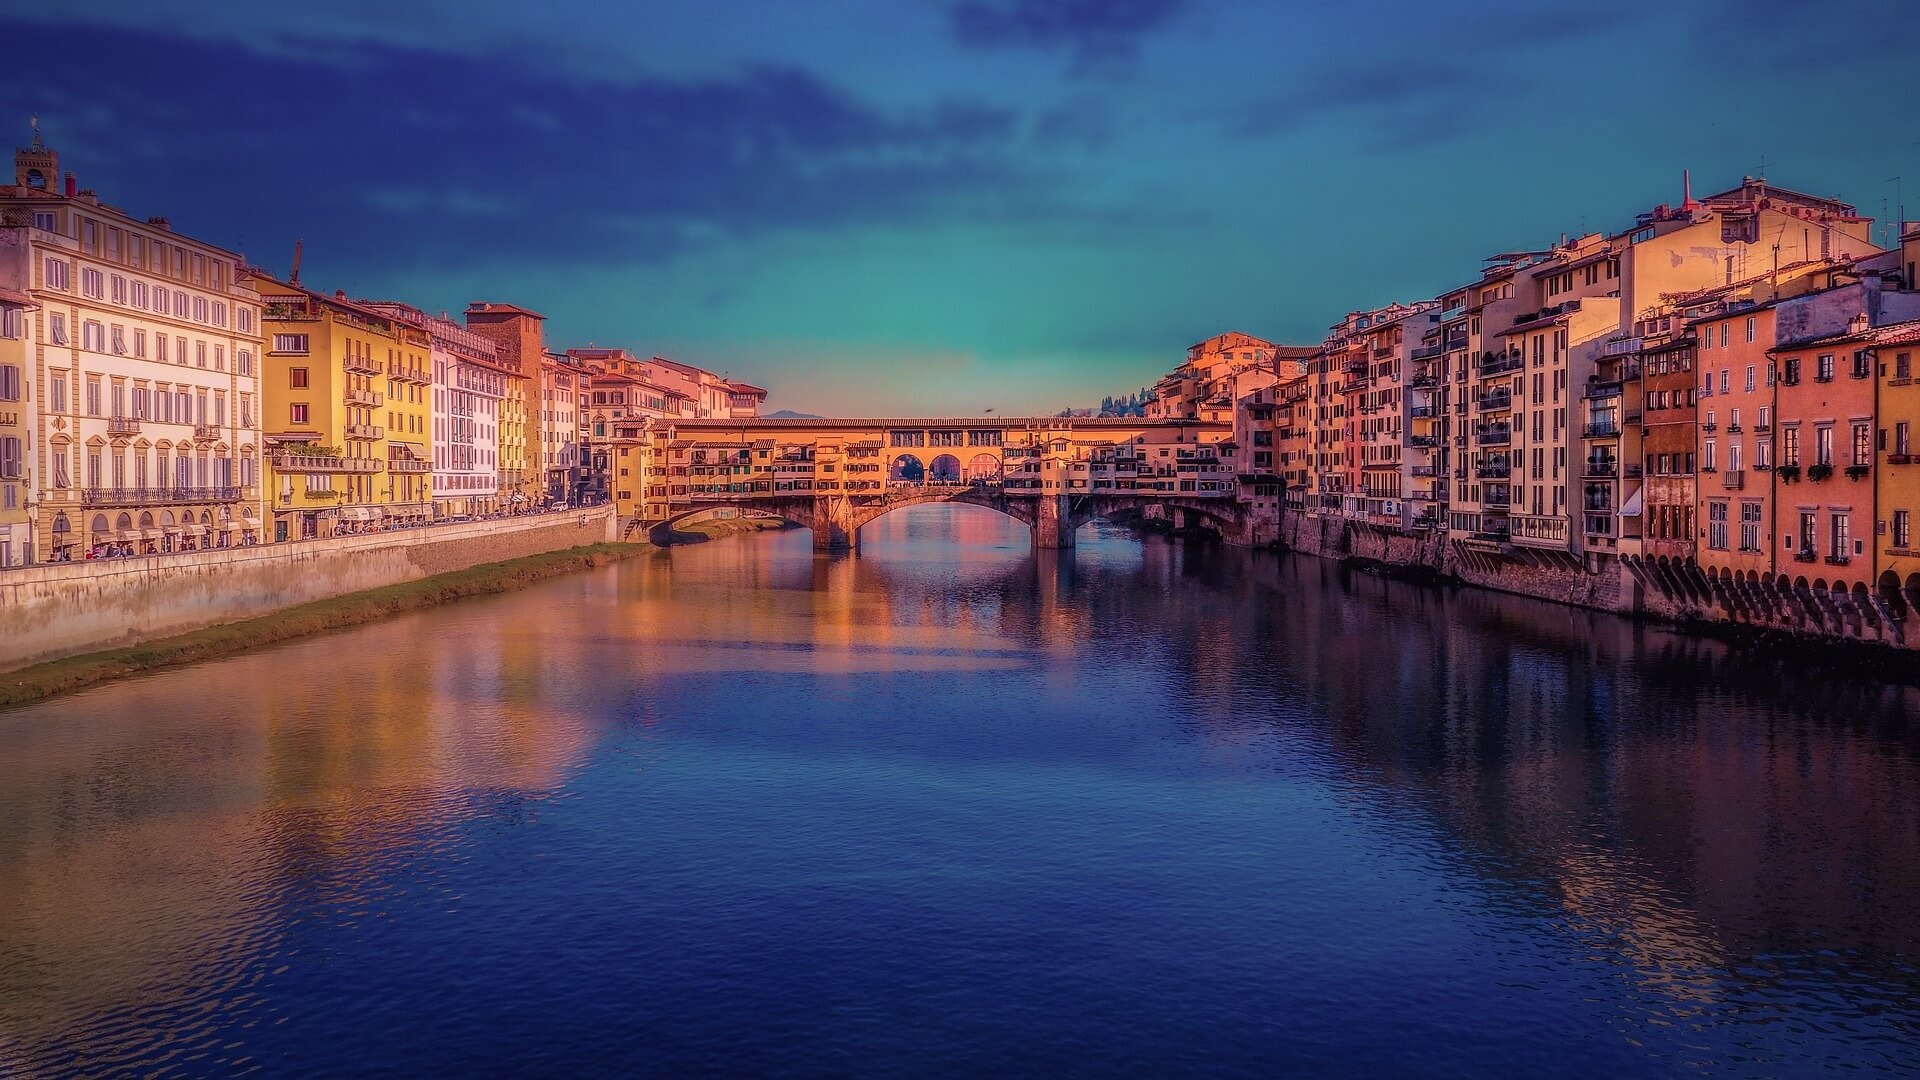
point(955, 806)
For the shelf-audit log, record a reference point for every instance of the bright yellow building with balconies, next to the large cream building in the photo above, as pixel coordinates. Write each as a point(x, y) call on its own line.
point(348, 416)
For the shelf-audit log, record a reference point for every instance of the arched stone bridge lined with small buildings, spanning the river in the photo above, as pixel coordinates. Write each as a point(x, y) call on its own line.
point(836, 476)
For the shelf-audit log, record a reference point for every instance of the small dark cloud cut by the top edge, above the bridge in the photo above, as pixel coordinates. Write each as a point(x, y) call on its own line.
point(1086, 30)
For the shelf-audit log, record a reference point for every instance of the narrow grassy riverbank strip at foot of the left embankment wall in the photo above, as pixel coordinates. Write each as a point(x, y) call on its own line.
point(322, 616)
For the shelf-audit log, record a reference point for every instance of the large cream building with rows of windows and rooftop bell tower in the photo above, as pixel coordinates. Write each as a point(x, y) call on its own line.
point(145, 372)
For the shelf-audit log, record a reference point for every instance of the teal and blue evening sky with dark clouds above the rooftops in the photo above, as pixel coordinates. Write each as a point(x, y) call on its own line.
point(948, 207)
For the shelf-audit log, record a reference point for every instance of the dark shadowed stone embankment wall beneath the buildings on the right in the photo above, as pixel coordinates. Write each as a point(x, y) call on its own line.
point(1656, 589)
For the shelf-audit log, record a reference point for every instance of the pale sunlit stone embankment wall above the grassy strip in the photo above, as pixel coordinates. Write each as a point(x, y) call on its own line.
point(60, 610)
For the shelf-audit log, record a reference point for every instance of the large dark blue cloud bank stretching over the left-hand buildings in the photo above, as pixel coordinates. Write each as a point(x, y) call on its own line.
point(414, 157)
